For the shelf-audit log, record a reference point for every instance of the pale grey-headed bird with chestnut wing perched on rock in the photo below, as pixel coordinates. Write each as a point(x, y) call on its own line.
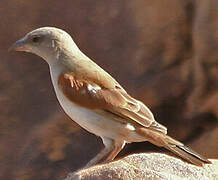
point(92, 98)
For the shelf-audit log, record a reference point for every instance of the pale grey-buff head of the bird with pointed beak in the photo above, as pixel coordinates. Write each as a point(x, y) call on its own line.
point(46, 42)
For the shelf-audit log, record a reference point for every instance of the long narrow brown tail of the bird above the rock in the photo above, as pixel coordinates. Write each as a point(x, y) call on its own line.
point(163, 140)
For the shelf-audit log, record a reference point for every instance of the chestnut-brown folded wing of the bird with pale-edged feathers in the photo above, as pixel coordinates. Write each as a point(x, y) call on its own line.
point(92, 96)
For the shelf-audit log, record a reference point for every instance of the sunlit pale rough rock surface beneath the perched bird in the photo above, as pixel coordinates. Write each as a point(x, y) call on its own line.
point(148, 166)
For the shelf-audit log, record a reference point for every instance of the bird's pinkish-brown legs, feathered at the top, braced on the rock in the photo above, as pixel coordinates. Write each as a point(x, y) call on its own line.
point(110, 151)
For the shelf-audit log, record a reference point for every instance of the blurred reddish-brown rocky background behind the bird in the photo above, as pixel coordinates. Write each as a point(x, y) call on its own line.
point(164, 53)
